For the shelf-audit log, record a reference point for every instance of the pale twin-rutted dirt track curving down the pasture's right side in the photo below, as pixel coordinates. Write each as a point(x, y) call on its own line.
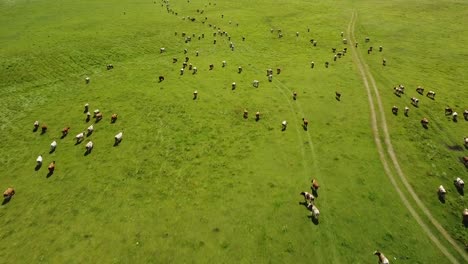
point(365, 74)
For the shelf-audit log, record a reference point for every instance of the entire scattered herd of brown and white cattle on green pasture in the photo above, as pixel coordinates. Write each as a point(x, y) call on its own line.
point(309, 198)
